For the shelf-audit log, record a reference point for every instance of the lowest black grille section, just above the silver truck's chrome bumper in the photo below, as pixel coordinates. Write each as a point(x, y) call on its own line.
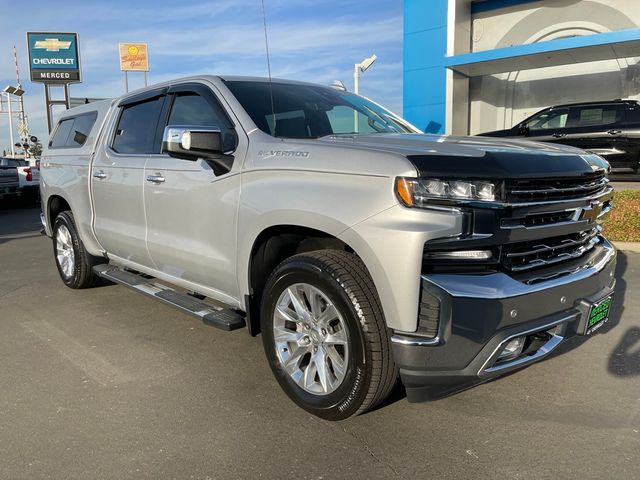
point(521, 256)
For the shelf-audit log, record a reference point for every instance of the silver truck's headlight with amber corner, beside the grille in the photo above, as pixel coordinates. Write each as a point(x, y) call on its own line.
point(417, 192)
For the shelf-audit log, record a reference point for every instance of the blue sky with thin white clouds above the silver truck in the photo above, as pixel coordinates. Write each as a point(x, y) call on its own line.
point(312, 41)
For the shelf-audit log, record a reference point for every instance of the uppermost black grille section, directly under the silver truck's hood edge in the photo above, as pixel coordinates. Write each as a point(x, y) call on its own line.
point(554, 189)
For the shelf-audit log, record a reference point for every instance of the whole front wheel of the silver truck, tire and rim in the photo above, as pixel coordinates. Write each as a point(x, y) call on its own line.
point(324, 334)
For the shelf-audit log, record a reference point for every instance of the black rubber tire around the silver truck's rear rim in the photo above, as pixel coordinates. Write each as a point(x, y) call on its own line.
point(82, 275)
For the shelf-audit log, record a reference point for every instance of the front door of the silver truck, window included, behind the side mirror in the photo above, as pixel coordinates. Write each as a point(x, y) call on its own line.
point(191, 207)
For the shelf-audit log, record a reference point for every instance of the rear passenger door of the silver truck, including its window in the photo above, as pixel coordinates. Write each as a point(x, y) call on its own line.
point(117, 178)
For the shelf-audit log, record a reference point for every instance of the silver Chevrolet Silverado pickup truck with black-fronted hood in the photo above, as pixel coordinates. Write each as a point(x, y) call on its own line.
point(359, 248)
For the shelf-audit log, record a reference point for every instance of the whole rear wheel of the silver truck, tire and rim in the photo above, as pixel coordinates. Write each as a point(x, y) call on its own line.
point(75, 265)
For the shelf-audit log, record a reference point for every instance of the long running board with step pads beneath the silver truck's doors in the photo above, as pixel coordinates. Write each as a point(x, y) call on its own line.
point(223, 318)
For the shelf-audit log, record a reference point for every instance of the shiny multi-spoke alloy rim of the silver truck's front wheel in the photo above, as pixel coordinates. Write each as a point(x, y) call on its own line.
point(311, 339)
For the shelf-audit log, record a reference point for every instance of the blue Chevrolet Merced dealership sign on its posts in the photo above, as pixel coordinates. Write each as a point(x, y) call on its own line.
point(54, 59)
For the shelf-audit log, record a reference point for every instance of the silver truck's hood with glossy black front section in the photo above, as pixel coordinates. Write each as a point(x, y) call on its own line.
point(479, 157)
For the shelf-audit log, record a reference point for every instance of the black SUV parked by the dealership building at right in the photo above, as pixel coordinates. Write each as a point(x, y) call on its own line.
point(610, 129)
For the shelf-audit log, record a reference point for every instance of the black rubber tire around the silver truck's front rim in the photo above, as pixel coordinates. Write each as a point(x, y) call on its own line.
point(371, 373)
